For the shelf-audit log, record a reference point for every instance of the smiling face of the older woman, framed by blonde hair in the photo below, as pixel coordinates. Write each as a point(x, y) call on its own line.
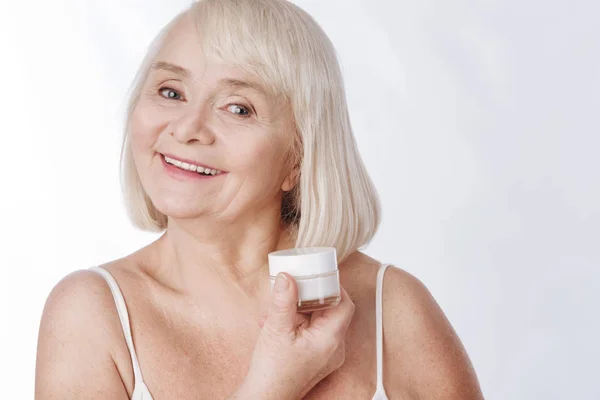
point(209, 116)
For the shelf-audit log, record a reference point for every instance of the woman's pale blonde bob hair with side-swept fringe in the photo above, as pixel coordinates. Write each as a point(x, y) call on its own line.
point(334, 202)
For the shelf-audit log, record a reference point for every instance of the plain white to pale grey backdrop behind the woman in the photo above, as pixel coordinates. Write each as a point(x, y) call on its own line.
point(478, 121)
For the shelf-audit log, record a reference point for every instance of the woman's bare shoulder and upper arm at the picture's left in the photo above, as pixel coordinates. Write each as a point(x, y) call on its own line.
point(74, 358)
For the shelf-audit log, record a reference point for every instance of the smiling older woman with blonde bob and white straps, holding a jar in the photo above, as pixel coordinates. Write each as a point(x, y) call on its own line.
point(238, 143)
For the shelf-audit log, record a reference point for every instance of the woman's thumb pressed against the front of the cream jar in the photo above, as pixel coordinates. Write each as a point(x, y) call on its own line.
point(284, 303)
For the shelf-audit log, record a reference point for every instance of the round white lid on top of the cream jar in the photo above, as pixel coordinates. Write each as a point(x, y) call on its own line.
point(302, 261)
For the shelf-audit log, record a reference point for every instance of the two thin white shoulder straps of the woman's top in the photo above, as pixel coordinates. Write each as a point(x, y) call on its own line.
point(141, 392)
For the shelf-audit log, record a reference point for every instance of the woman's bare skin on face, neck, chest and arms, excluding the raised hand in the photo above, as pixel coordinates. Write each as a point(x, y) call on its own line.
point(196, 295)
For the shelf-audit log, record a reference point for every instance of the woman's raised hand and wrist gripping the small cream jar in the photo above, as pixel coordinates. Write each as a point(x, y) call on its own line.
point(294, 351)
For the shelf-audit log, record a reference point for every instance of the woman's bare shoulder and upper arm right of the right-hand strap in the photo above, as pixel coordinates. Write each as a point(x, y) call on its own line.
point(423, 356)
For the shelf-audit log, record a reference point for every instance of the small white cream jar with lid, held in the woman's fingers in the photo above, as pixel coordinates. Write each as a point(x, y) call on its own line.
point(315, 271)
